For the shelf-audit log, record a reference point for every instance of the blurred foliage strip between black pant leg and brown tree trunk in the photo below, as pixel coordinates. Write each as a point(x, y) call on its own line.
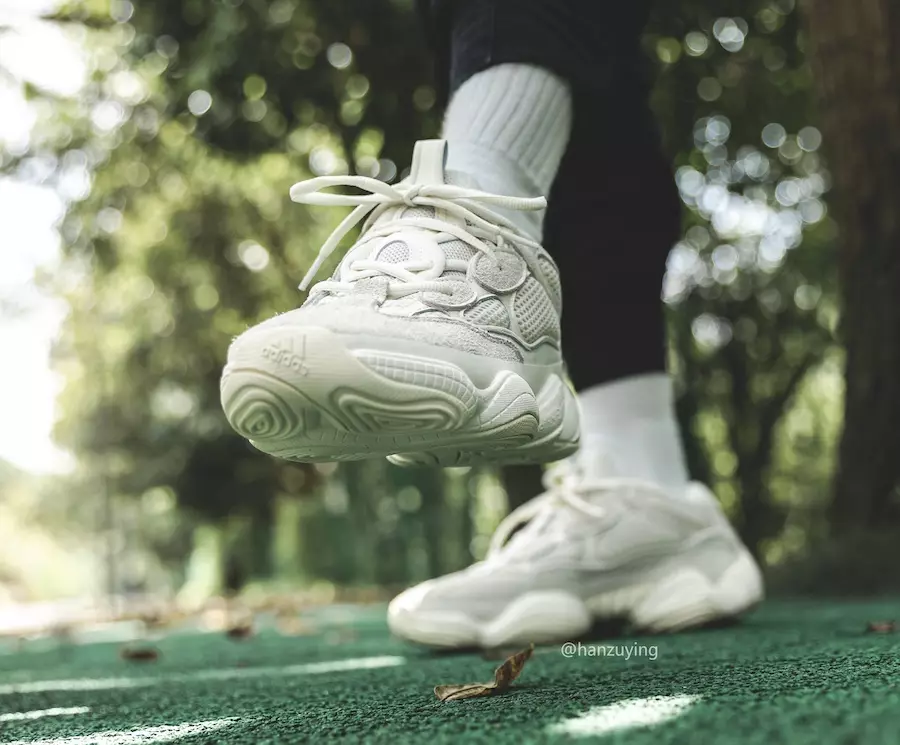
point(751, 287)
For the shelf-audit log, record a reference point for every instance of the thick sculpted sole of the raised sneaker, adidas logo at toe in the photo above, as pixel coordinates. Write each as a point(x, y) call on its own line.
point(301, 394)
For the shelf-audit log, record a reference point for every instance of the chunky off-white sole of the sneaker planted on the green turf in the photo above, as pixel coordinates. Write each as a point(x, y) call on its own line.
point(684, 599)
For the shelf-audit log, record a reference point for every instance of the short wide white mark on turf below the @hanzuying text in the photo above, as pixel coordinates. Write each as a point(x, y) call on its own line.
point(636, 712)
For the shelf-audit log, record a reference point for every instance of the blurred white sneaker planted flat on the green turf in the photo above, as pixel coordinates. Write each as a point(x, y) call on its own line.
point(593, 549)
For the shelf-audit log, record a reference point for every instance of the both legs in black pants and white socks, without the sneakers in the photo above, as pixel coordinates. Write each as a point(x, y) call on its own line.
point(517, 74)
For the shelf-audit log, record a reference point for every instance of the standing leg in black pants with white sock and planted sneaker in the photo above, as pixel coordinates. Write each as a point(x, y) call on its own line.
point(620, 532)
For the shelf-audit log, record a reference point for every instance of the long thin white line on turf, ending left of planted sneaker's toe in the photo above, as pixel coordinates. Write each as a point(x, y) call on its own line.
point(102, 684)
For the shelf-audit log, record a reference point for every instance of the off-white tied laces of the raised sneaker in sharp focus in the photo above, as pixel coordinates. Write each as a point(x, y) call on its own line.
point(470, 206)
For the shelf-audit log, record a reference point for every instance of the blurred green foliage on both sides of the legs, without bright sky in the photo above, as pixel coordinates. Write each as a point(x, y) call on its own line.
point(201, 115)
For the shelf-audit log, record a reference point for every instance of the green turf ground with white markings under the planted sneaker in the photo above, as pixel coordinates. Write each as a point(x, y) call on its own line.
point(792, 673)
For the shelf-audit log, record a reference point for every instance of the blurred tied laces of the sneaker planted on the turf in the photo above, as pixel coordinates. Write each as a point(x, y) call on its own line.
point(565, 484)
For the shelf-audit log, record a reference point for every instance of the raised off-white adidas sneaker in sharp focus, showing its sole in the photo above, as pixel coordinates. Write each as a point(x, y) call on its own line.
point(436, 341)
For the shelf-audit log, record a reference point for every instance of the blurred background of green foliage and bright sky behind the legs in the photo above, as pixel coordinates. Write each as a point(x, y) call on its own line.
point(146, 151)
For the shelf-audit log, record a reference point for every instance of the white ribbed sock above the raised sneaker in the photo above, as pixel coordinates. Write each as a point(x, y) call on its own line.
point(507, 128)
